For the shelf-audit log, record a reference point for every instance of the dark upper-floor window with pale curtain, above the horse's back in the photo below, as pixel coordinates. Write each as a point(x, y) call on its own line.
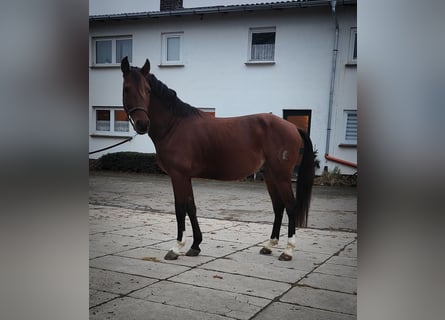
point(262, 45)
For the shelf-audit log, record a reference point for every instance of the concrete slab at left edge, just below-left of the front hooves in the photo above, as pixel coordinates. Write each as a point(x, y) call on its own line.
point(156, 270)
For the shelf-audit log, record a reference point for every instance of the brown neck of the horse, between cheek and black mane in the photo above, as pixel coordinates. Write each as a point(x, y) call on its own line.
point(162, 120)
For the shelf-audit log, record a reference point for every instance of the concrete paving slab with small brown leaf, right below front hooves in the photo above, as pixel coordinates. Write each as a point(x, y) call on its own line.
point(233, 283)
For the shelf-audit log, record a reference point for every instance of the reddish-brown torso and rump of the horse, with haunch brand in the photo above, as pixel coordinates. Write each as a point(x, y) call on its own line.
point(234, 147)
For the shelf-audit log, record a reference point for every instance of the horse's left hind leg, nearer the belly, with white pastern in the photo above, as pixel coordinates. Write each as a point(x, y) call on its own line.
point(278, 208)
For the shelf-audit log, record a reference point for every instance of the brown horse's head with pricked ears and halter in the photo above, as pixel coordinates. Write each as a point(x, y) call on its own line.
point(136, 95)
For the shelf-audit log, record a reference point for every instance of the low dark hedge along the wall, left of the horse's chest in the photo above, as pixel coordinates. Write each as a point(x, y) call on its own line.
point(129, 162)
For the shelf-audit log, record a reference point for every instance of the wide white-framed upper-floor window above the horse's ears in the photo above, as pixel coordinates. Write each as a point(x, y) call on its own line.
point(110, 51)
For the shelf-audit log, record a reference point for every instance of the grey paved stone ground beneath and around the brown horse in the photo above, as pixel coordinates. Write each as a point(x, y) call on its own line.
point(132, 226)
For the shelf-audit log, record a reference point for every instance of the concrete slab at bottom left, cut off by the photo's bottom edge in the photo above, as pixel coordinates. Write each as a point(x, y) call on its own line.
point(136, 309)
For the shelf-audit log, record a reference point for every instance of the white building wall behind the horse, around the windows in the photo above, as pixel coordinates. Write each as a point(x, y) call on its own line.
point(215, 74)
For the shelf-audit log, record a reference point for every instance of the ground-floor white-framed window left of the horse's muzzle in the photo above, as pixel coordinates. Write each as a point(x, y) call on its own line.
point(111, 120)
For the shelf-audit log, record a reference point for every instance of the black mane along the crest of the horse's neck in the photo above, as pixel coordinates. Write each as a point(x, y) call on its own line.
point(170, 99)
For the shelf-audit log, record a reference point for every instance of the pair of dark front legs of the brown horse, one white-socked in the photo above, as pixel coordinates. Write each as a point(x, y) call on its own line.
point(184, 203)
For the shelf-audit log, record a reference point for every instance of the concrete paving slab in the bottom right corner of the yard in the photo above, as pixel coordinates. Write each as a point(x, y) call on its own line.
point(322, 299)
